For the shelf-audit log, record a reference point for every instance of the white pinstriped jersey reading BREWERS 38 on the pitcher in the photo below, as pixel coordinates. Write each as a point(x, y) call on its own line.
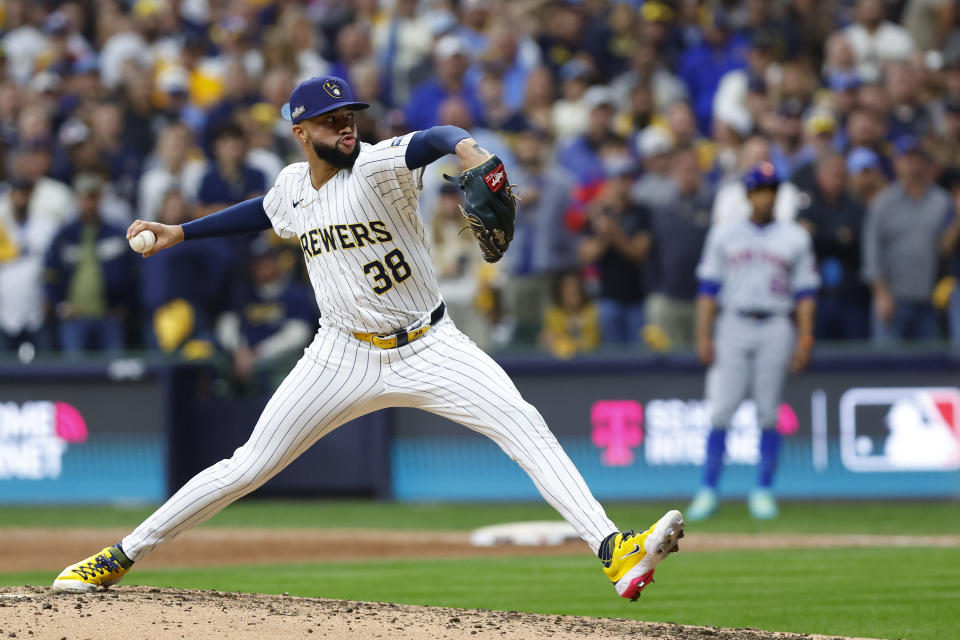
point(365, 249)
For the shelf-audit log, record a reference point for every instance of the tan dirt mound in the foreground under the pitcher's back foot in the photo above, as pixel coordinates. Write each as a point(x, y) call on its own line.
point(151, 613)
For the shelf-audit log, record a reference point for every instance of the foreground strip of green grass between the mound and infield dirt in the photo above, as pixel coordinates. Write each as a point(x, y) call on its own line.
point(907, 593)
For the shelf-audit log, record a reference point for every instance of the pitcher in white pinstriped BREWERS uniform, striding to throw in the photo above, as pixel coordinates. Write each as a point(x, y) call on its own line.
point(385, 338)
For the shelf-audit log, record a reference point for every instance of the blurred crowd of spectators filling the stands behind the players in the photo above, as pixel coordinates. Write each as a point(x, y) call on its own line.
point(626, 123)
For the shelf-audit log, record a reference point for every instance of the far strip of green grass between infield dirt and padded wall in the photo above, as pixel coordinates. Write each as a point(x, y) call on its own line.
point(815, 517)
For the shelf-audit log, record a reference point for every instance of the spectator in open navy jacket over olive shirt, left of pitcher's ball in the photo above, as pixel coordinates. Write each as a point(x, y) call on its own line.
point(90, 276)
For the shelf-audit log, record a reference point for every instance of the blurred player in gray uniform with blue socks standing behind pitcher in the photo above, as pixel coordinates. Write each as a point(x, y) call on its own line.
point(760, 276)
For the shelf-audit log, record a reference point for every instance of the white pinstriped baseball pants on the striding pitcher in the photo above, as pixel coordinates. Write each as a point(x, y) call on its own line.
point(340, 378)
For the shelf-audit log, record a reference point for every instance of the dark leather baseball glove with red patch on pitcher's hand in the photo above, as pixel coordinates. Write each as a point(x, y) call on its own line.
point(490, 206)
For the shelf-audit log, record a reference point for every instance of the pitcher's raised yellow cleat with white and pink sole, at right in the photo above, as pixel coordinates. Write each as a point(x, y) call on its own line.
point(629, 558)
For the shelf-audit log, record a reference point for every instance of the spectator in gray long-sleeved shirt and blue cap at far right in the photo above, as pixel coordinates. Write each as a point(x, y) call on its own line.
point(900, 256)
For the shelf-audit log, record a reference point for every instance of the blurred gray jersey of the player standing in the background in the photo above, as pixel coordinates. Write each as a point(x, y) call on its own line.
point(759, 268)
